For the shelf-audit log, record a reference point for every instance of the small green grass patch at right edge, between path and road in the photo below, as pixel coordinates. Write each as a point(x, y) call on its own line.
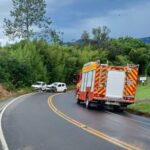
point(140, 108)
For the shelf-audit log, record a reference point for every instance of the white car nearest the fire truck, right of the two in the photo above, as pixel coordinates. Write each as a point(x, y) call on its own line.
point(57, 87)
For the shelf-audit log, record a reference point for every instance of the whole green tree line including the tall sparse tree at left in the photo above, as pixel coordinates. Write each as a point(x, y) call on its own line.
point(42, 55)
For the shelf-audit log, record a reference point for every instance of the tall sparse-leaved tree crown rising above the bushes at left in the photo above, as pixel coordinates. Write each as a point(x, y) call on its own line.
point(25, 17)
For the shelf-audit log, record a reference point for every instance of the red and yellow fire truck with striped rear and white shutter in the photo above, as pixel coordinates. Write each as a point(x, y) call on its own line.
point(107, 85)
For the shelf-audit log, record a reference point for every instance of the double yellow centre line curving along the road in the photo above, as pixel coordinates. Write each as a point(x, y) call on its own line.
point(89, 129)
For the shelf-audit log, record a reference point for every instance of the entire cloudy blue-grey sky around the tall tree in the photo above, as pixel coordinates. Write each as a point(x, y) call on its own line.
point(122, 17)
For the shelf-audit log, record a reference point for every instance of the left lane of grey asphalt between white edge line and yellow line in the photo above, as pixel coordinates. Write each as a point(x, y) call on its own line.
point(29, 124)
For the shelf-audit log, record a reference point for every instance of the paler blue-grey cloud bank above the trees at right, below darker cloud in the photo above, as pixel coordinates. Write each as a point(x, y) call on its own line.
point(132, 21)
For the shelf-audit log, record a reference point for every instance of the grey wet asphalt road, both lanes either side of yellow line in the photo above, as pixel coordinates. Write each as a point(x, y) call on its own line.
point(30, 124)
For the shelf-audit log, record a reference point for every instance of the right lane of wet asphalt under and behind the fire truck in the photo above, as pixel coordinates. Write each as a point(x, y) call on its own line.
point(132, 129)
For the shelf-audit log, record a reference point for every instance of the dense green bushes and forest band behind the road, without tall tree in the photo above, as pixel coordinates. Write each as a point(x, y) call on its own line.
point(27, 61)
